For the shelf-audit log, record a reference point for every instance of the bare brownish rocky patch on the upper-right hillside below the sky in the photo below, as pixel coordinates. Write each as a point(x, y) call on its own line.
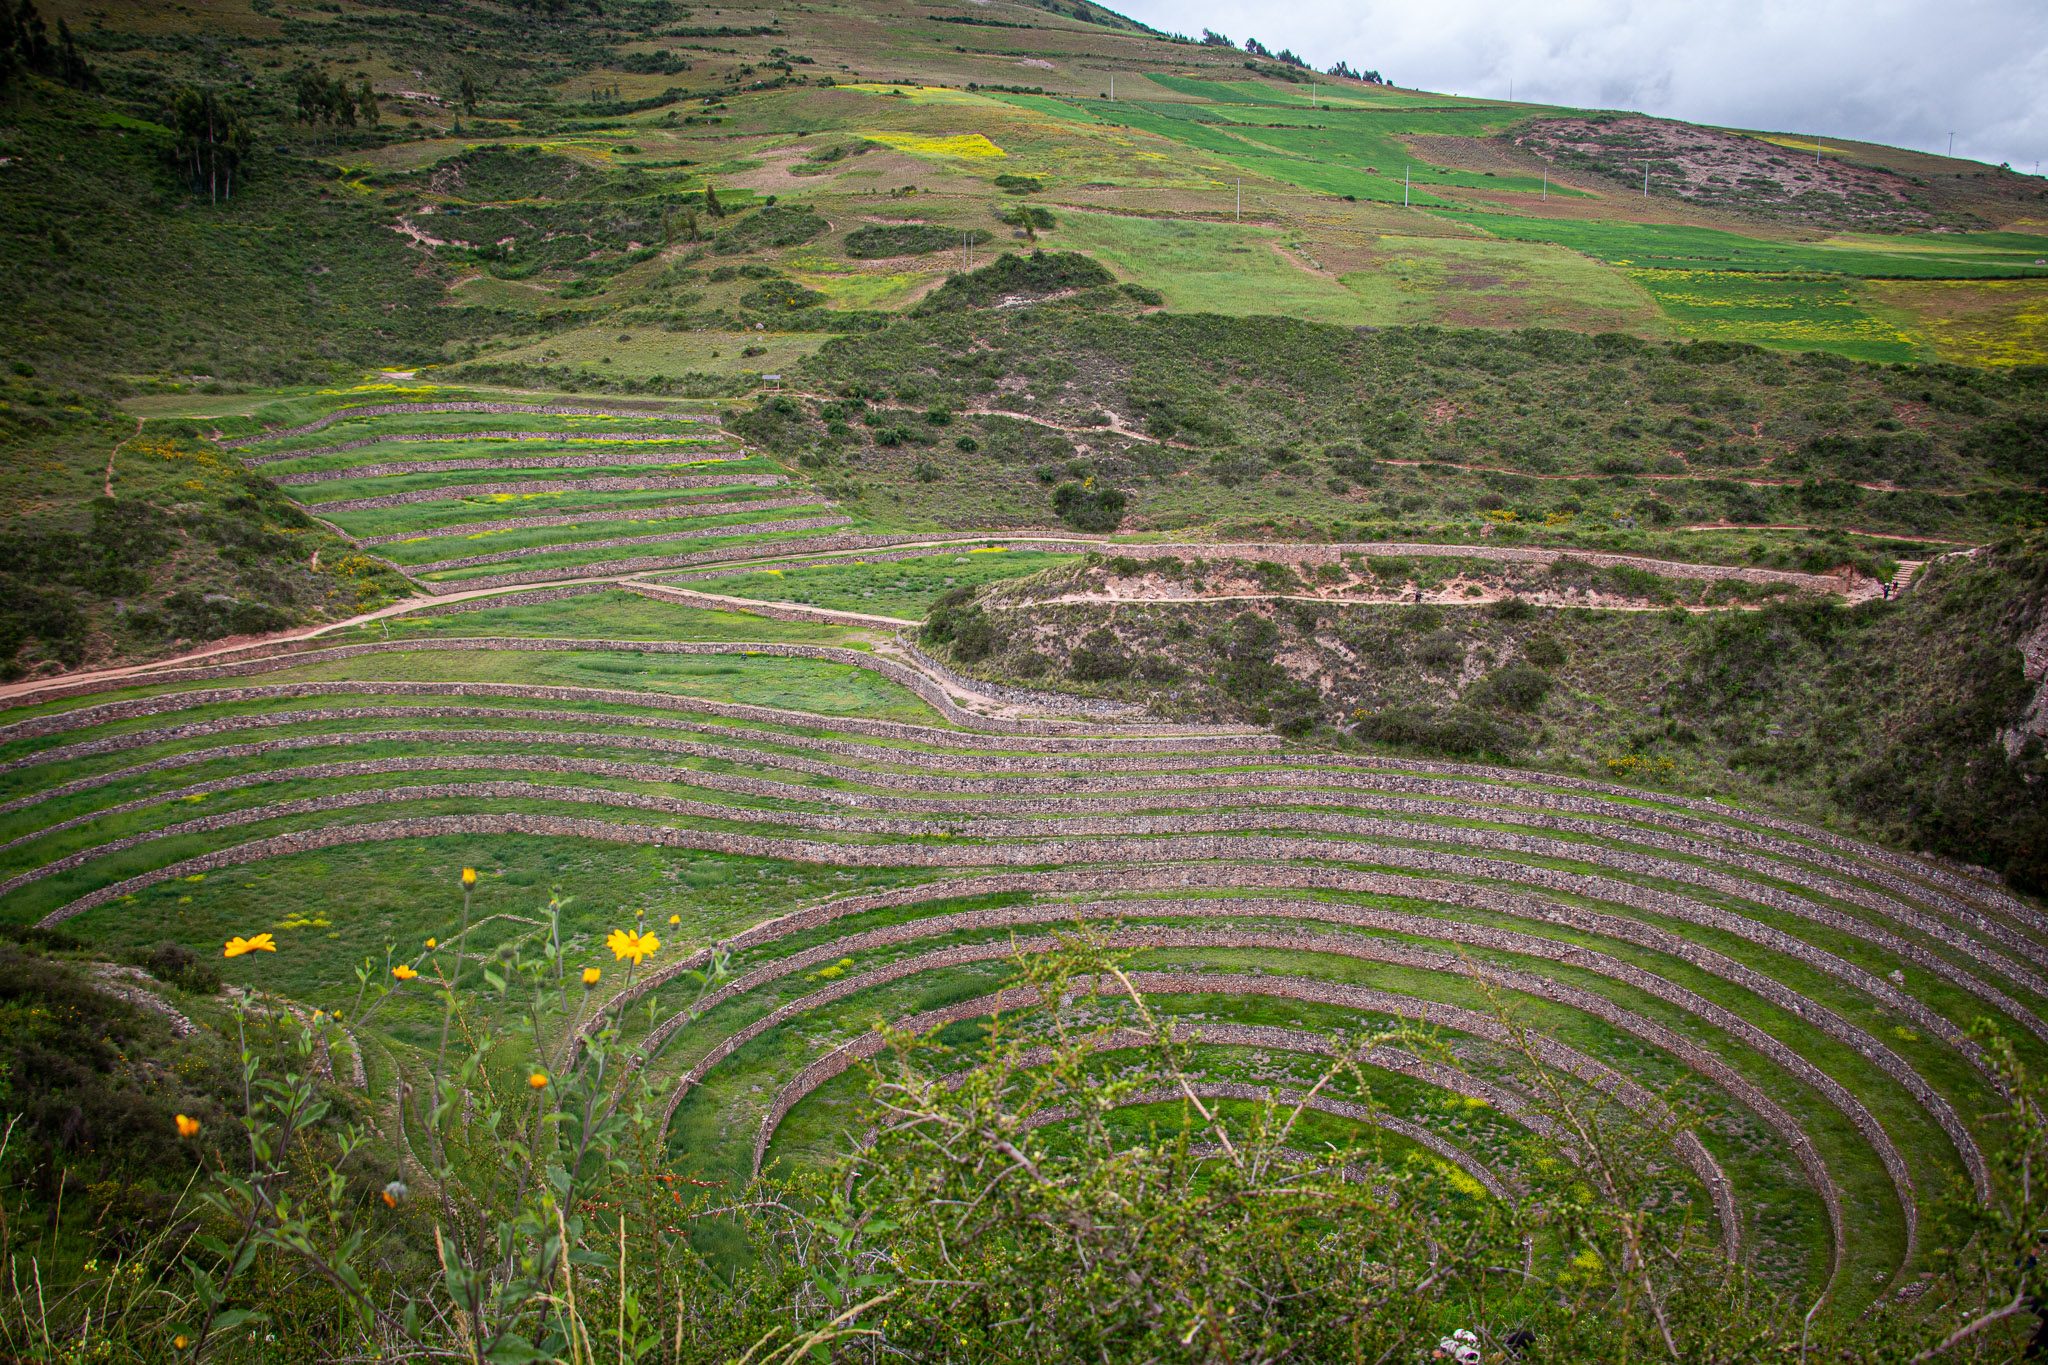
point(1727, 171)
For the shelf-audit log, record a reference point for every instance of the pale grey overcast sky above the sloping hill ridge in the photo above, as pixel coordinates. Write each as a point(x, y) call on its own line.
point(1904, 73)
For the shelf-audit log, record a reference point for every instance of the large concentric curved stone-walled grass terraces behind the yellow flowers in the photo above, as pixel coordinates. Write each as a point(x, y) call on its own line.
point(869, 848)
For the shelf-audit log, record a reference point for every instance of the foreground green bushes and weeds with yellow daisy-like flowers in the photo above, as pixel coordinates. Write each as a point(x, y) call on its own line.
point(994, 1213)
